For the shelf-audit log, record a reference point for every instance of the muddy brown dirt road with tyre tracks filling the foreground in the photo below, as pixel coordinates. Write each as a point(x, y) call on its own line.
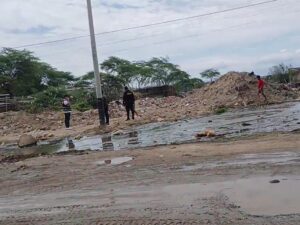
point(204, 183)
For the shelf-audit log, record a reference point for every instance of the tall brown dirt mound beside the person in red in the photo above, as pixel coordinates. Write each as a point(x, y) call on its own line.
point(238, 89)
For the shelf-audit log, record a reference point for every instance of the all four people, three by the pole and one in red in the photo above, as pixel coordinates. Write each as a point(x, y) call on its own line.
point(129, 103)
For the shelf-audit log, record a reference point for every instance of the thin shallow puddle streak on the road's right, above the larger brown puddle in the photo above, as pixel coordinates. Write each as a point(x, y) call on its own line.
point(246, 159)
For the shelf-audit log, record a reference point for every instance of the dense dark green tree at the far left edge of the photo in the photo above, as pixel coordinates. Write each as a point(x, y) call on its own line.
point(22, 74)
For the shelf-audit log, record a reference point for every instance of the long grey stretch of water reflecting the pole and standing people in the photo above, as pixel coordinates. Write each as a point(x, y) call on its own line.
point(284, 117)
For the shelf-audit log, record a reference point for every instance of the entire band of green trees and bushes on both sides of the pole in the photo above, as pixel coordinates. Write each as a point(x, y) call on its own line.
point(23, 74)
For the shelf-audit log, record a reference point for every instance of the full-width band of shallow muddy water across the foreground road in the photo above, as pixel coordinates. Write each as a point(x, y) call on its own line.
point(256, 196)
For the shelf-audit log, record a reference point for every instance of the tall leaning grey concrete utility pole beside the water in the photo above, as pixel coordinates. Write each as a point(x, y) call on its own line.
point(96, 65)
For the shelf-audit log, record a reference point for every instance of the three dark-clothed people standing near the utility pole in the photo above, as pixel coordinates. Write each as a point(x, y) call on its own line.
point(128, 103)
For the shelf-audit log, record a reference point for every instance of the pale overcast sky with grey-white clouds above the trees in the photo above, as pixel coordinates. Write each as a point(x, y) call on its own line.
point(249, 39)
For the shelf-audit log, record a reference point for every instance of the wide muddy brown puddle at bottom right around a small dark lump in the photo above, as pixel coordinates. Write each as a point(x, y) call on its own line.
point(256, 196)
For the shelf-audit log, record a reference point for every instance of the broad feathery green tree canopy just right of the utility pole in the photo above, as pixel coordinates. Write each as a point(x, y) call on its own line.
point(155, 72)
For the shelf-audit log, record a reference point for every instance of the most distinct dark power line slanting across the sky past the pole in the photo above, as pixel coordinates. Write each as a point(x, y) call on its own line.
point(149, 25)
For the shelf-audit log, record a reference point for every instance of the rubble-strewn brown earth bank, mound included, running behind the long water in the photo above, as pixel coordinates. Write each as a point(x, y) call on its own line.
point(231, 90)
